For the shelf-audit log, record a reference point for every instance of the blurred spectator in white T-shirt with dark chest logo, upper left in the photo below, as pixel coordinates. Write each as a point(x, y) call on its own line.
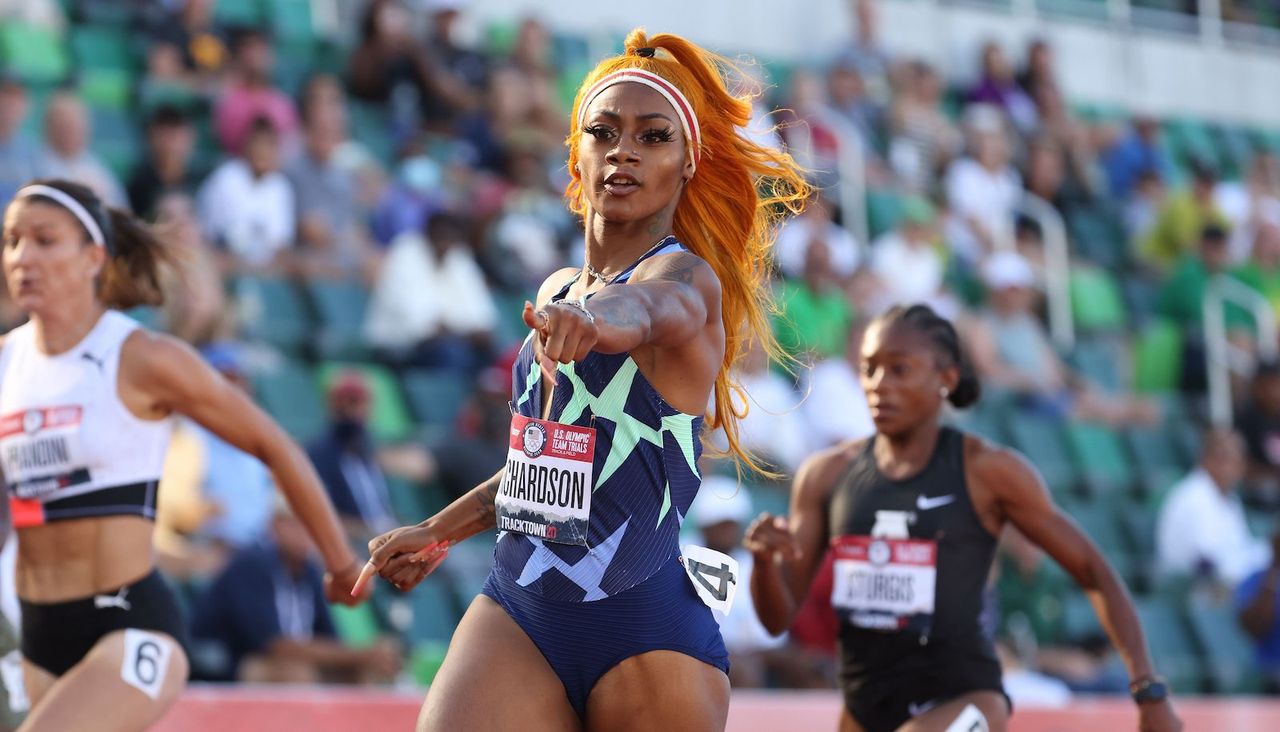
point(248, 205)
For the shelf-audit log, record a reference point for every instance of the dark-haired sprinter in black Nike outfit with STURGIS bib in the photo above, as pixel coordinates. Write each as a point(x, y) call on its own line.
point(912, 518)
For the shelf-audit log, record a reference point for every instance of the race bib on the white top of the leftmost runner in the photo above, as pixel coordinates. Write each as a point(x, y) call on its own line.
point(42, 451)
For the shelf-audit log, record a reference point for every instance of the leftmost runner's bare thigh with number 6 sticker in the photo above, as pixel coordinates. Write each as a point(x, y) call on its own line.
point(126, 684)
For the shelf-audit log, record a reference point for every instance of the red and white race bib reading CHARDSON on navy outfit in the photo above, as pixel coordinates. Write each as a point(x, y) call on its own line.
point(546, 488)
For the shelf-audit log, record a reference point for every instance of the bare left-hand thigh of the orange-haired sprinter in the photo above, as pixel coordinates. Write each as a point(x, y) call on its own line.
point(495, 679)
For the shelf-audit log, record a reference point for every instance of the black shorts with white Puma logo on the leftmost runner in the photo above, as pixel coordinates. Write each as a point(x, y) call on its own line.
point(56, 637)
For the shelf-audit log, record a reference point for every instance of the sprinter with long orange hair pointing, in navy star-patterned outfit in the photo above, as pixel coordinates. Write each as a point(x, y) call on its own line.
point(588, 617)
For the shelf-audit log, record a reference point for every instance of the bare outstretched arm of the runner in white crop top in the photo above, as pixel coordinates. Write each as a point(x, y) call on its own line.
point(176, 379)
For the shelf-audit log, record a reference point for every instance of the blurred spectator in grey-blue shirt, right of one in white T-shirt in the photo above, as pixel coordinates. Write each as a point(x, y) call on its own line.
point(332, 232)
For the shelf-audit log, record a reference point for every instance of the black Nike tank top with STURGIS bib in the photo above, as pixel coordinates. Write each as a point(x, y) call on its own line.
point(912, 566)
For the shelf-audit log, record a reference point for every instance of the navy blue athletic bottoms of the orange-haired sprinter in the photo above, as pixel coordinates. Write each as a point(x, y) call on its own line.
point(583, 642)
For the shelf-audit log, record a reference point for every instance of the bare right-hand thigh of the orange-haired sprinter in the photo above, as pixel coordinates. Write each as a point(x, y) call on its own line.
point(660, 690)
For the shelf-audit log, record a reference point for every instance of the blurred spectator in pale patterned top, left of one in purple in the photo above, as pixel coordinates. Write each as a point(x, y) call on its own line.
point(925, 140)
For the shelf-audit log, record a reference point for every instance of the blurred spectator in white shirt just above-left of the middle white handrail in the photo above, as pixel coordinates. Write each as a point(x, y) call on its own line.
point(982, 189)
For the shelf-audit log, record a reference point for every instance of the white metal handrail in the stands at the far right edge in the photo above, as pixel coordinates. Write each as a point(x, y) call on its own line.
point(1222, 356)
